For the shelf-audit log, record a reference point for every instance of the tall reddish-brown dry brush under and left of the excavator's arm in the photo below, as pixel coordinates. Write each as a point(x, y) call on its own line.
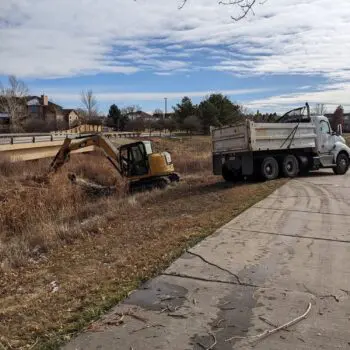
point(36, 216)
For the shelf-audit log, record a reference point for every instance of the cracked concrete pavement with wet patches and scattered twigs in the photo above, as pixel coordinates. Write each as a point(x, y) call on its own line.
point(259, 271)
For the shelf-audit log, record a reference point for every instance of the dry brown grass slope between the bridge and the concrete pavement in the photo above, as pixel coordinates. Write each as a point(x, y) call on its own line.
point(97, 249)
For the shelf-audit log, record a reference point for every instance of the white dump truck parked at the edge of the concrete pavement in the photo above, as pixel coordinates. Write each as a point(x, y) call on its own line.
point(295, 144)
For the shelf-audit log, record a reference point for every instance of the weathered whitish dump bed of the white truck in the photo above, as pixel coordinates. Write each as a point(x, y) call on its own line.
point(251, 136)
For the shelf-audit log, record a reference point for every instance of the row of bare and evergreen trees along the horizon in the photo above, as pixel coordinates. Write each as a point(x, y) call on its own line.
point(213, 111)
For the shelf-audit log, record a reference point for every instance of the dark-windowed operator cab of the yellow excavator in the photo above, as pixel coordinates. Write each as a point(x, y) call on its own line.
point(134, 160)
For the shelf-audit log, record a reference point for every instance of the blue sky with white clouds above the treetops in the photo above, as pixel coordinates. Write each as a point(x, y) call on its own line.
point(138, 52)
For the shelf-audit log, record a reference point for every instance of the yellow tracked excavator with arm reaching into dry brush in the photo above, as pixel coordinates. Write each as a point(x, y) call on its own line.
point(134, 161)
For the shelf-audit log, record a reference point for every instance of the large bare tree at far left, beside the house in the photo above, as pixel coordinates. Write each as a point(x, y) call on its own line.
point(12, 101)
